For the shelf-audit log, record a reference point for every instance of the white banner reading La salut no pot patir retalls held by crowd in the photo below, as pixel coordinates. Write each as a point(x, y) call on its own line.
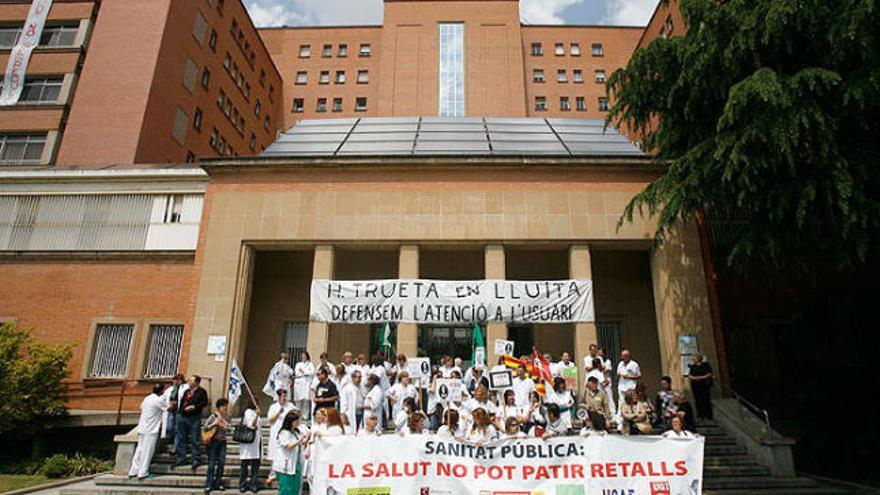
point(424, 464)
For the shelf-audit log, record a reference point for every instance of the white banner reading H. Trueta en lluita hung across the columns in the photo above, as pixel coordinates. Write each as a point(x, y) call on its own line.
point(450, 301)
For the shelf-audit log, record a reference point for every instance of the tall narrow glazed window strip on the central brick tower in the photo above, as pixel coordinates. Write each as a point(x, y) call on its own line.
point(451, 85)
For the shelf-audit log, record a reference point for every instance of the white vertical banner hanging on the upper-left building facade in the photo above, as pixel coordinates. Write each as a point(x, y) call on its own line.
point(16, 67)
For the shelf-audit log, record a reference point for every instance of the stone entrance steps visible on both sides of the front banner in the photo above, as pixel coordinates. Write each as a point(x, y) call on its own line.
point(728, 470)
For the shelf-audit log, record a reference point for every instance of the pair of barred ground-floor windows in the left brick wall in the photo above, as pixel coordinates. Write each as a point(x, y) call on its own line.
point(114, 342)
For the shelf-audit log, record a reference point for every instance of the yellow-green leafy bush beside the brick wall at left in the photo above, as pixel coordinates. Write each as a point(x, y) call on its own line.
point(30, 381)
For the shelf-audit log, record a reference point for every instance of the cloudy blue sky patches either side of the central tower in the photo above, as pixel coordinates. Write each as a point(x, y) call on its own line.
point(267, 13)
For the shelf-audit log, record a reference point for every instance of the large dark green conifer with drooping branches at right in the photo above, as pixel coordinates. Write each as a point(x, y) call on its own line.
point(767, 111)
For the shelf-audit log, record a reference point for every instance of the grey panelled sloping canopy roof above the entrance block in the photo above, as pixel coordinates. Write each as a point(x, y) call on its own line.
point(466, 136)
